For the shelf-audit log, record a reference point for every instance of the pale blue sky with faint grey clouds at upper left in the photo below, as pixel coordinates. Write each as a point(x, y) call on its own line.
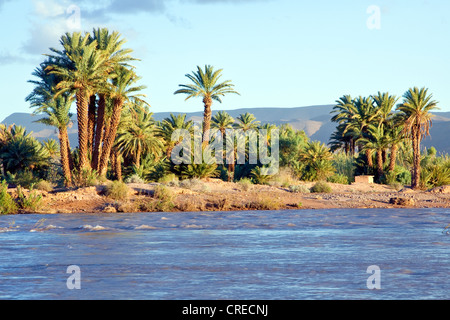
point(277, 53)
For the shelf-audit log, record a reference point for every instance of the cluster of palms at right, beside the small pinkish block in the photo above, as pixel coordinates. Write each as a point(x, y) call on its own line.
point(376, 125)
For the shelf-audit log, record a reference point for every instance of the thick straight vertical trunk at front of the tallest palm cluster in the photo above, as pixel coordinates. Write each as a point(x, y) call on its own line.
point(83, 132)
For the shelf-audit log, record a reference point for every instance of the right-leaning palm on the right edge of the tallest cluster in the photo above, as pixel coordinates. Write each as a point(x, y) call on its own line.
point(123, 92)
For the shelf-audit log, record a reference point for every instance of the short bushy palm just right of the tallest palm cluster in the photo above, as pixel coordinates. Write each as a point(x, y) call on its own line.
point(140, 136)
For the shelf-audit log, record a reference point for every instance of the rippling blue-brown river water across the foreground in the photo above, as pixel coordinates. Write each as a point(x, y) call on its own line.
point(260, 255)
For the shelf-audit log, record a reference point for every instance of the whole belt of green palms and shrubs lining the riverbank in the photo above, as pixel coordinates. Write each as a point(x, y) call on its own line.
point(118, 137)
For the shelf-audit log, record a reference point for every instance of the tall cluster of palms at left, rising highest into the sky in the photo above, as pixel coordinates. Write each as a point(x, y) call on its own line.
point(93, 71)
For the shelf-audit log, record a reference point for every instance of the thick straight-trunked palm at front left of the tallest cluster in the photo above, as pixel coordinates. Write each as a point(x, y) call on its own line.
point(83, 70)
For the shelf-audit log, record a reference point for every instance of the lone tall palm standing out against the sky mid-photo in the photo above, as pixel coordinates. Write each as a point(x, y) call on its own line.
point(205, 85)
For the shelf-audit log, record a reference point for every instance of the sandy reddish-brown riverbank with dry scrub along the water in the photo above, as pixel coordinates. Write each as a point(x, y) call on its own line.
point(217, 195)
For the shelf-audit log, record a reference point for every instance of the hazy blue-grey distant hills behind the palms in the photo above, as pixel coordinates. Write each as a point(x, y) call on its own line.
point(314, 120)
